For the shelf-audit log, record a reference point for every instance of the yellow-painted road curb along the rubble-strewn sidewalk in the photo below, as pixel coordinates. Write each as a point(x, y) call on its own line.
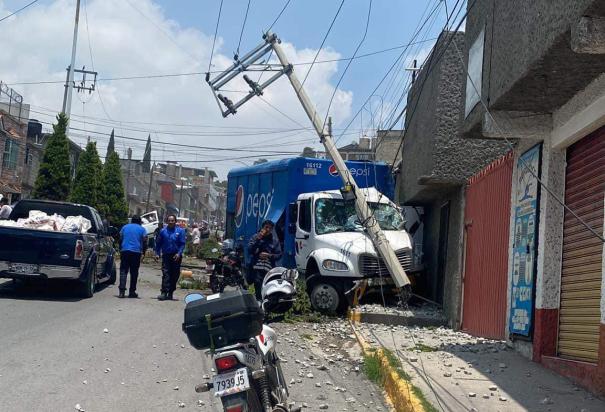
point(398, 390)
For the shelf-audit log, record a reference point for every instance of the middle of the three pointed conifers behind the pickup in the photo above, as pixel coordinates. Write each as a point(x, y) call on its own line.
point(87, 183)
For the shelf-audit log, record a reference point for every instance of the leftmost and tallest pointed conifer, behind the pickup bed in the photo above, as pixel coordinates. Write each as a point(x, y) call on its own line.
point(54, 177)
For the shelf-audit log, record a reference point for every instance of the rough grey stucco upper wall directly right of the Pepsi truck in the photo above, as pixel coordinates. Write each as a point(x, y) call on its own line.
point(434, 151)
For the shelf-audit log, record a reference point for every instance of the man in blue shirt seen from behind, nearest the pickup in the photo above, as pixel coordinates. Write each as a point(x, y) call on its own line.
point(132, 247)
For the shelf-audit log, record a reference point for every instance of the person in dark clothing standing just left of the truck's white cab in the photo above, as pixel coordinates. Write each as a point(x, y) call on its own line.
point(264, 250)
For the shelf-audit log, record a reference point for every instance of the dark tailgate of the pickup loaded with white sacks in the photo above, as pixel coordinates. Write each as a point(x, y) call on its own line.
point(38, 247)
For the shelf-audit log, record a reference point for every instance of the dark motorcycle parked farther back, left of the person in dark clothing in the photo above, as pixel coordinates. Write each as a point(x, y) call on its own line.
point(227, 269)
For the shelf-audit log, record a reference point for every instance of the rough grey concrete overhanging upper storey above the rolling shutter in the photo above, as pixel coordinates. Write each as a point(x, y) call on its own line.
point(528, 61)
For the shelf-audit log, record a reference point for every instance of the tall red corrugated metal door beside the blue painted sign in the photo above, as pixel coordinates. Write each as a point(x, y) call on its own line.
point(487, 221)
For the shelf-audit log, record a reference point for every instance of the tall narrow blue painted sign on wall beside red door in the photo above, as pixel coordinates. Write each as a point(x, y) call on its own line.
point(525, 238)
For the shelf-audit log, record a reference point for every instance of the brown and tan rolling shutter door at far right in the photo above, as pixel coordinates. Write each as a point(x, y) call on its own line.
point(581, 272)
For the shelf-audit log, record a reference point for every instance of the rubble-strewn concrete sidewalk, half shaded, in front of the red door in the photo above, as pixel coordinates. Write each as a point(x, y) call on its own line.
point(459, 372)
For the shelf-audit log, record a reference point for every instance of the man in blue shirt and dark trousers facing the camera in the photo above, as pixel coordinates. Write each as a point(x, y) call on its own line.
point(170, 244)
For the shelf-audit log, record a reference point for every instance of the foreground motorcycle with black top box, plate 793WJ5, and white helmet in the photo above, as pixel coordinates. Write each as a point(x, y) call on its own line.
point(249, 376)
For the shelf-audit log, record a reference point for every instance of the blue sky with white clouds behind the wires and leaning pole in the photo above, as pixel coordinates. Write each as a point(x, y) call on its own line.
point(148, 37)
